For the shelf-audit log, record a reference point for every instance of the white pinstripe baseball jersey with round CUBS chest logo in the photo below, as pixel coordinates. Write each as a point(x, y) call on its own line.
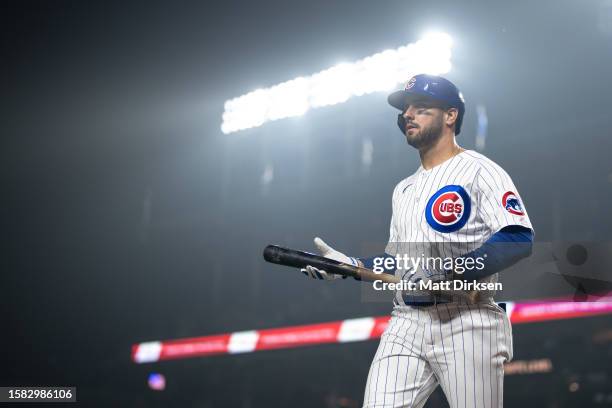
point(452, 209)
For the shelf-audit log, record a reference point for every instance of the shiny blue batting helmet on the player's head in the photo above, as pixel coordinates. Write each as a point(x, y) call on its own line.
point(432, 87)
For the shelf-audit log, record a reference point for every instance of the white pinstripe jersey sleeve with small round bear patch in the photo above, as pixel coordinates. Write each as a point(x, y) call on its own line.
point(499, 203)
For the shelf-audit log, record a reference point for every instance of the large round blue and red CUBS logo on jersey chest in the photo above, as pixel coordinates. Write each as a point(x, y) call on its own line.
point(448, 209)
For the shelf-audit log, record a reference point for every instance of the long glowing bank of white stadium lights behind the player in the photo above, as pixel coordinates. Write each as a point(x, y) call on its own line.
point(376, 73)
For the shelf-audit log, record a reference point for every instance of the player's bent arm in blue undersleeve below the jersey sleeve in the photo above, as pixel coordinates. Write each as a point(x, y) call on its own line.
point(502, 250)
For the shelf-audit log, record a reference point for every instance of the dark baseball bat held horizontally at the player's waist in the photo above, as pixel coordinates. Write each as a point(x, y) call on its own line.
point(300, 259)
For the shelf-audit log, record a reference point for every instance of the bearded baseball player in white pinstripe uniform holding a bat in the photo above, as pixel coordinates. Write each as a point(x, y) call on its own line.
point(457, 205)
